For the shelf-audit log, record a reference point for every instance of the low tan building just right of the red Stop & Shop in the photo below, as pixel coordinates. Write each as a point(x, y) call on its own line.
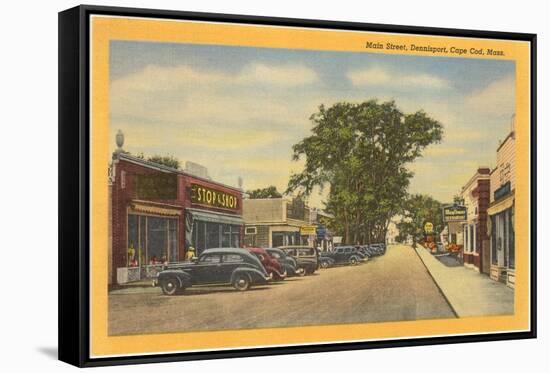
point(274, 222)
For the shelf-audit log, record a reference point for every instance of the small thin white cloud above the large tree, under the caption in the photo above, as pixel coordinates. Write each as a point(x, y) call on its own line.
point(377, 76)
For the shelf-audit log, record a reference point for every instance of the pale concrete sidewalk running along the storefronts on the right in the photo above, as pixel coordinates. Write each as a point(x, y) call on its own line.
point(469, 292)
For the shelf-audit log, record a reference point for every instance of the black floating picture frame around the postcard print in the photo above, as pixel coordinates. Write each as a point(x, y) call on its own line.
point(74, 190)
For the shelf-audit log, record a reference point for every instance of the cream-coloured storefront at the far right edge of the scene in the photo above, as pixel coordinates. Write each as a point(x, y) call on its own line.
point(501, 213)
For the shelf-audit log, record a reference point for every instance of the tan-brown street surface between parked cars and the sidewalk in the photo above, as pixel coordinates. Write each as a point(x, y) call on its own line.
point(392, 287)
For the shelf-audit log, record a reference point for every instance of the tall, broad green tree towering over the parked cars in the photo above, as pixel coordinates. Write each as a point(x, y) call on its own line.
point(360, 152)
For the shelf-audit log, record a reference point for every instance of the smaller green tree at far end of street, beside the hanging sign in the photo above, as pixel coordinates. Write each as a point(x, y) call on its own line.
point(417, 210)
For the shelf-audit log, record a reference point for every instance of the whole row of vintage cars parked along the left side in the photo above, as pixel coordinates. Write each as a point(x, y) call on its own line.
point(243, 268)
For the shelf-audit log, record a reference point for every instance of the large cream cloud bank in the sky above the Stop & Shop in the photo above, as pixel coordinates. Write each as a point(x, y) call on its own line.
point(184, 95)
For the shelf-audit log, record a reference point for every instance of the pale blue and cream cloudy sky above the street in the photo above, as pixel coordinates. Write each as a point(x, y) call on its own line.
point(238, 110)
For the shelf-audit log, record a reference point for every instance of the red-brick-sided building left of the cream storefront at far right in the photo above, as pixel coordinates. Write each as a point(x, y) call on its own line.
point(475, 194)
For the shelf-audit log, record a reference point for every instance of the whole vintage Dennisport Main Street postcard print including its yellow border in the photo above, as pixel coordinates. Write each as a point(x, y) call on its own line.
point(263, 186)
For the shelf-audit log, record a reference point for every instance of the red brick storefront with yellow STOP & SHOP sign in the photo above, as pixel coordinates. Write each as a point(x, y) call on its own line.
point(157, 213)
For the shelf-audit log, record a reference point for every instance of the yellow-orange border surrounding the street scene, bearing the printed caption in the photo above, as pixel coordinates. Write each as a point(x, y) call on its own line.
point(104, 29)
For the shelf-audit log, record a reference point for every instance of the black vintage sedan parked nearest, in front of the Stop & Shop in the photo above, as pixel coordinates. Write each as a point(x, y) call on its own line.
point(232, 266)
